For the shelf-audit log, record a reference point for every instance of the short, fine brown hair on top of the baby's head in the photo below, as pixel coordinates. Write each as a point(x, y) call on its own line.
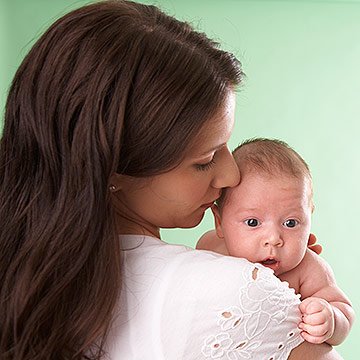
point(270, 157)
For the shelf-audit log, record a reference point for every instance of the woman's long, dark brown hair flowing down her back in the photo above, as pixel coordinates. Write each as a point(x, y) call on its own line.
point(115, 86)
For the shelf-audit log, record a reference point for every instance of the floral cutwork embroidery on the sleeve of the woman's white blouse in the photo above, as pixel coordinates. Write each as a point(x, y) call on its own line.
point(264, 304)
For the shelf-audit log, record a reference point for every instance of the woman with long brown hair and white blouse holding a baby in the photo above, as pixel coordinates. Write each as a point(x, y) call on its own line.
point(117, 122)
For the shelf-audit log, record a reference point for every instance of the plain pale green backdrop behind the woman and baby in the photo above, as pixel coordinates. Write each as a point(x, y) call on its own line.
point(302, 60)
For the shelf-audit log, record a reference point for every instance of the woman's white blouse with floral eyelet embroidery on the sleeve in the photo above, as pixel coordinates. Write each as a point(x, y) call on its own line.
point(179, 303)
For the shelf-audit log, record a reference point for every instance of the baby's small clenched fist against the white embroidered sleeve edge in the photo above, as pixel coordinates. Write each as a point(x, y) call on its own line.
point(318, 323)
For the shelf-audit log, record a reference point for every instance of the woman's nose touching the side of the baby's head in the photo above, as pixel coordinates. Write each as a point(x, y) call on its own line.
point(228, 174)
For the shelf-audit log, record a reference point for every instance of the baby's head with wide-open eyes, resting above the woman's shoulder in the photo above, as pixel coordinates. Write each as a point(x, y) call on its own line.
point(267, 217)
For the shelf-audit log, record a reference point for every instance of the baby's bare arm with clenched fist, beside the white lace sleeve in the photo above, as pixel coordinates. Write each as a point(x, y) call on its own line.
point(327, 312)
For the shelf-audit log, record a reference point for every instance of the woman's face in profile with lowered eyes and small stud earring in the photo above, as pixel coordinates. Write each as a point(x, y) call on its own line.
point(180, 196)
